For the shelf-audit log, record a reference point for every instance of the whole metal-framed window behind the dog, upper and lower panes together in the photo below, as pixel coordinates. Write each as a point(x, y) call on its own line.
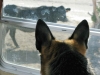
point(19, 19)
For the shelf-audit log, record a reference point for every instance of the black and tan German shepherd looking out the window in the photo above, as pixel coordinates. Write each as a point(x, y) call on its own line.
point(63, 57)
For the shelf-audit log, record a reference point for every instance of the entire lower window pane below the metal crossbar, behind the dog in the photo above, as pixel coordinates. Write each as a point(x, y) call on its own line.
point(22, 50)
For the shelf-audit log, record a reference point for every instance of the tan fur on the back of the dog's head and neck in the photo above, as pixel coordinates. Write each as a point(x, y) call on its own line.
point(49, 54)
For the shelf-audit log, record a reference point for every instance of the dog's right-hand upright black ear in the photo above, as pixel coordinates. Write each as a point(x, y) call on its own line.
point(81, 33)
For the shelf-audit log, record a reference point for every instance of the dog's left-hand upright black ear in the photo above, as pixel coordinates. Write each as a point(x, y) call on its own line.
point(43, 35)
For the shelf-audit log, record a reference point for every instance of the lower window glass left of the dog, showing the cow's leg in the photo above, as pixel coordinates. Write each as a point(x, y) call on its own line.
point(19, 46)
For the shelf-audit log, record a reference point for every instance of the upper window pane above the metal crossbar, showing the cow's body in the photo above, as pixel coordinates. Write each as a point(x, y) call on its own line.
point(68, 12)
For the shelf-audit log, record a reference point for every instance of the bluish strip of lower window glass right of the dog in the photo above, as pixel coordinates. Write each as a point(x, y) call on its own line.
point(93, 52)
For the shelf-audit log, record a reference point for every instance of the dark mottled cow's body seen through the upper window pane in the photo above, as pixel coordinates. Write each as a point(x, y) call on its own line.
point(47, 13)
